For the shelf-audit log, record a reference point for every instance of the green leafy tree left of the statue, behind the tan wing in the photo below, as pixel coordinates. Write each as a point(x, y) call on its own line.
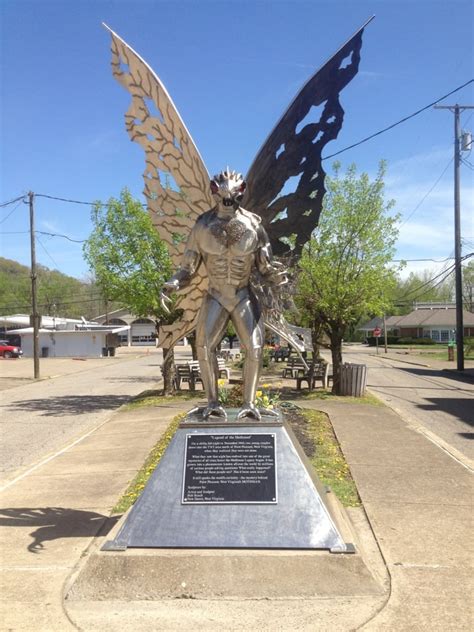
point(130, 263)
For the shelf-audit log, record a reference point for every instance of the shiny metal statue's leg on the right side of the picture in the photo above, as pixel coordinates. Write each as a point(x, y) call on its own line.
point(249, 326)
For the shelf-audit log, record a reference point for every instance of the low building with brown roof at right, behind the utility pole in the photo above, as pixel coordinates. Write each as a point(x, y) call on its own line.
point(428, 320)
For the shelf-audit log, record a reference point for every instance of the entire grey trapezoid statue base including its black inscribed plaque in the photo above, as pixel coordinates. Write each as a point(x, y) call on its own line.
point(232, 485)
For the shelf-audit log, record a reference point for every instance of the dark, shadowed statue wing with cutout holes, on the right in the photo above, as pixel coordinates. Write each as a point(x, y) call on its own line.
point(293, 151)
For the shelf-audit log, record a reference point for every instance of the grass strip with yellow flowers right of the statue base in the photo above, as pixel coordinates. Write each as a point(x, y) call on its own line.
point(316, 435)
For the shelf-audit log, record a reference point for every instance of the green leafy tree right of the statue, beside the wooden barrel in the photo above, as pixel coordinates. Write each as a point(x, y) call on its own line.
point(344, 270)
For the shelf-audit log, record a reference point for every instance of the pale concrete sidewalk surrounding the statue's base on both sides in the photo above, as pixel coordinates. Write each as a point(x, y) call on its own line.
point(417, 498)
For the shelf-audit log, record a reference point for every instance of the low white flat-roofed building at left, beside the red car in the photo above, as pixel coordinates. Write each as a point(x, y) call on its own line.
point(65, 337)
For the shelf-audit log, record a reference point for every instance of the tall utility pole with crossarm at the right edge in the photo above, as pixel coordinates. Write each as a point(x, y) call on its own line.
point(457, 109)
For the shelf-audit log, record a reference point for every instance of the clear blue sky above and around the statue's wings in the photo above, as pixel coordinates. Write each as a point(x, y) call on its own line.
point(231, 67)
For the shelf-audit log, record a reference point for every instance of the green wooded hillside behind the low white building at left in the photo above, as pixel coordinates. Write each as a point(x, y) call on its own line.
point(58, 294)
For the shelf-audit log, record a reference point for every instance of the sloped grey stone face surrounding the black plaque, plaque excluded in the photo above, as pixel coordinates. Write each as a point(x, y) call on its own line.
point(299, 520)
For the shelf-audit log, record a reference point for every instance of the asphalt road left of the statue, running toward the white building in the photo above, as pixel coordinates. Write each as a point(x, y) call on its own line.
point(39, 418)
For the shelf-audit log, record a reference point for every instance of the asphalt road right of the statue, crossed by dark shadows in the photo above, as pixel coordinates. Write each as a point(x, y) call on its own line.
point(440, 401)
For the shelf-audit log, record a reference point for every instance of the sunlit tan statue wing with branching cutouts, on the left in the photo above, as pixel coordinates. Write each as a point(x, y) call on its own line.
point(153, 121)
